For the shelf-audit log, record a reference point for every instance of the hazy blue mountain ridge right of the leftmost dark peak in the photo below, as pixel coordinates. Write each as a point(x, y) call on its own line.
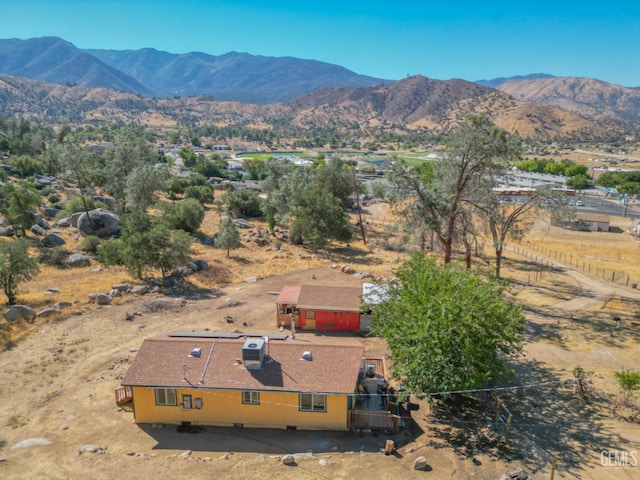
point(232, 76)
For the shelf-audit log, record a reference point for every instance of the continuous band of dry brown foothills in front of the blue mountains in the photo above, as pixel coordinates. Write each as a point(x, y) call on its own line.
point(414, 104)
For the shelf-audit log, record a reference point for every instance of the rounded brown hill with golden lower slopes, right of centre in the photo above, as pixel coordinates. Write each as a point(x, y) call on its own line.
point(440, 105)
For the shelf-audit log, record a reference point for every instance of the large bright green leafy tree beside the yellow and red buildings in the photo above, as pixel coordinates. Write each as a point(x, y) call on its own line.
point(447, 328)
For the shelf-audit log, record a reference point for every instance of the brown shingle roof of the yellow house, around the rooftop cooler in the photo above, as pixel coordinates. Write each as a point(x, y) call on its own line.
point(165, 362)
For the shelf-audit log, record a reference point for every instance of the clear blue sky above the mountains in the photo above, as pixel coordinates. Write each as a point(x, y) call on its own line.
point(392, 39)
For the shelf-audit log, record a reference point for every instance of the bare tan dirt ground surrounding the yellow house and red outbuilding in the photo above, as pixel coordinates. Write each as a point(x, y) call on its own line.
point(58, 383)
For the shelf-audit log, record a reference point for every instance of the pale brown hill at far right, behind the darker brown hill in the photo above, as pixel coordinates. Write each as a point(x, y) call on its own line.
point(590, 98)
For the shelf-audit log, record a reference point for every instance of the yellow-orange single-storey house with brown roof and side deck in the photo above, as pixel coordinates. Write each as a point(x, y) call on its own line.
point(203, 378)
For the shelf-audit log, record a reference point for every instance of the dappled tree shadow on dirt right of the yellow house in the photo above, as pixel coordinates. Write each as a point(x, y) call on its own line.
point(547, 418)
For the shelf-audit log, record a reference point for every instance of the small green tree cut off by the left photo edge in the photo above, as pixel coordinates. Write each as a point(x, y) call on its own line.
point(16, 266)
